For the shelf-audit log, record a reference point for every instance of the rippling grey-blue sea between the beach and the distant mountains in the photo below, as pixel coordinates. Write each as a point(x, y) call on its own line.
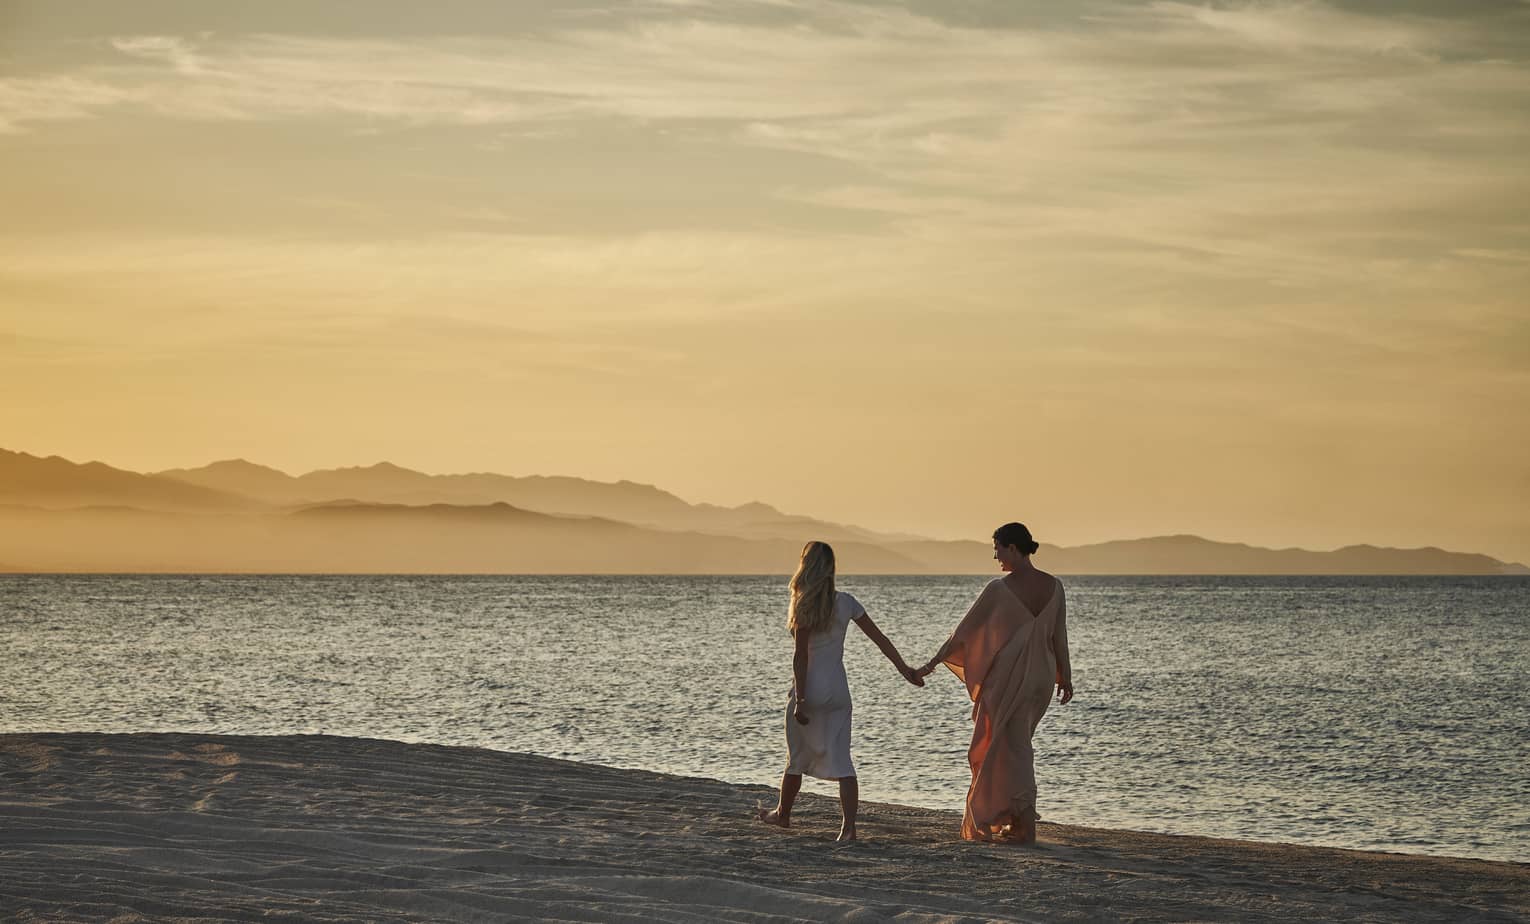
point(1379, 714)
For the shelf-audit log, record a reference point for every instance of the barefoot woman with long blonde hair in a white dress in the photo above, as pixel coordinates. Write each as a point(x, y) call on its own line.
point(819, 706)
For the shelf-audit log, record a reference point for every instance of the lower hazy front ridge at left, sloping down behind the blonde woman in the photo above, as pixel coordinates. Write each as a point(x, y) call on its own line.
point(392, 539)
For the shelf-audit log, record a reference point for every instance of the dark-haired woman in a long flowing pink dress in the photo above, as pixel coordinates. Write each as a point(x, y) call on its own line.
point(1011, 651)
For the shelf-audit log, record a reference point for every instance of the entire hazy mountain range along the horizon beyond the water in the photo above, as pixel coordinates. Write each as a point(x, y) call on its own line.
point(238, 516)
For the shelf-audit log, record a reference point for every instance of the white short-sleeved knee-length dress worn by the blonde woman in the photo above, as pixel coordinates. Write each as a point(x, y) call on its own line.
point(822, 747)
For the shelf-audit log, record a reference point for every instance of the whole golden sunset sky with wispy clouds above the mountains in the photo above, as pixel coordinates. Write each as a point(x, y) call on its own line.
point(1255, 272)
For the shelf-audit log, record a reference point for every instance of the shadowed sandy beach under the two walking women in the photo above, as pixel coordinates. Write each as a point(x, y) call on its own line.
point(314, 828)
